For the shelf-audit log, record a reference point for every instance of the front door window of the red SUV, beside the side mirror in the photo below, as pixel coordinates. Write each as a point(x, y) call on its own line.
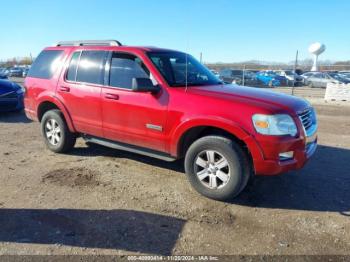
point(125, 67)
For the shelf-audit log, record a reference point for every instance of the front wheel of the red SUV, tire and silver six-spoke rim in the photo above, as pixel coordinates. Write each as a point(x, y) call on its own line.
point(203, 178)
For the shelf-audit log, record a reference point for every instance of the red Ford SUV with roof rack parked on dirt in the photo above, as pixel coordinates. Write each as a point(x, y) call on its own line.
point(165, 104)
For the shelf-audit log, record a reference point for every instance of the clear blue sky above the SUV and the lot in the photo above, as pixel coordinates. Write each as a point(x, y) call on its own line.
point(223, 30)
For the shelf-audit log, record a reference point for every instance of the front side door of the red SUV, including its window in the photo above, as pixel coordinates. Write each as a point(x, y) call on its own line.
point(136, 118)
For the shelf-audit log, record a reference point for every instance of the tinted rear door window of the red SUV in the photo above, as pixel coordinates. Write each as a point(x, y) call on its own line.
point(91, 67)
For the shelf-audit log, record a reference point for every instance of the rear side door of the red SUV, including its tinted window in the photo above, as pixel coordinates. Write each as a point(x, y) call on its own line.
point(80, 90)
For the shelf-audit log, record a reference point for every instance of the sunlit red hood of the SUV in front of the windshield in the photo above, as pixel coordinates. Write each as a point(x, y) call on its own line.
point(265, 99)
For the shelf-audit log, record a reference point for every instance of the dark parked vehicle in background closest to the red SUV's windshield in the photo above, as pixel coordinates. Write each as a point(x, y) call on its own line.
point(237, 76)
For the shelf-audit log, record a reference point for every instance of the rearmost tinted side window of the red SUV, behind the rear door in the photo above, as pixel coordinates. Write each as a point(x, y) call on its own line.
point(46, 64)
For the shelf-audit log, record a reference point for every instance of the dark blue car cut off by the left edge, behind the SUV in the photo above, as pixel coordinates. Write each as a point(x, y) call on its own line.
point(11, 96)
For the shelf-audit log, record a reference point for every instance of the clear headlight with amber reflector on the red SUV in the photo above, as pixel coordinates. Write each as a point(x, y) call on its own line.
point(275, 125)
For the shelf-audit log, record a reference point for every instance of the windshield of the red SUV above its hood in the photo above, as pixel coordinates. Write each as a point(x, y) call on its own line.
point(172, 66)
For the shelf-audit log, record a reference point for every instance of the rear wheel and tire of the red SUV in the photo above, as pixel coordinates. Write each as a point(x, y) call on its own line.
point(61, 139)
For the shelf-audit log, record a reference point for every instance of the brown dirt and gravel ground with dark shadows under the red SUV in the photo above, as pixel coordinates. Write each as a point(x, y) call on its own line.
point(101, 201)
